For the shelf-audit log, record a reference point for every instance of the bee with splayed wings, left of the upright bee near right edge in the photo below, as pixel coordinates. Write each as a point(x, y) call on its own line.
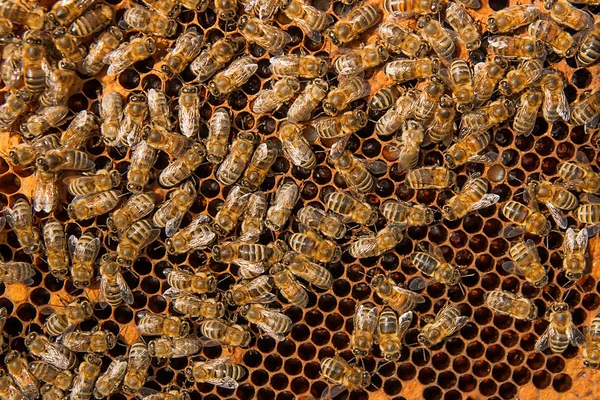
point(526, 263)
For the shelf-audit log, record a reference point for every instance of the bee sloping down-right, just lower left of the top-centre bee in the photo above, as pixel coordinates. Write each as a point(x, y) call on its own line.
point(267, 36)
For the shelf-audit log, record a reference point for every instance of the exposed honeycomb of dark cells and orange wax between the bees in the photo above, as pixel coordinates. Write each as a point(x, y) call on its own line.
point(491, 357)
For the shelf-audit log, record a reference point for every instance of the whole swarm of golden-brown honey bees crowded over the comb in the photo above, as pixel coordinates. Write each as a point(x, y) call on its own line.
point(46, 51)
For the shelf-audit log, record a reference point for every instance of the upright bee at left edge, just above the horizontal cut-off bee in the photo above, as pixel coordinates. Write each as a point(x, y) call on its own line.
point(20, 219)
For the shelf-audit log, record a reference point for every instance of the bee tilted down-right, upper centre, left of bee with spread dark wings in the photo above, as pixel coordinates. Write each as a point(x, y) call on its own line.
point(295, 146)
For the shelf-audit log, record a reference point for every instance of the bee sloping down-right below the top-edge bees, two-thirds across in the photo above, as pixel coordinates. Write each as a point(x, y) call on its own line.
point(399, 39)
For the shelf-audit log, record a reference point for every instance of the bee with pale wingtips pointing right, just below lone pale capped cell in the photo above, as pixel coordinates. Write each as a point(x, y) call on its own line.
point(473, 196)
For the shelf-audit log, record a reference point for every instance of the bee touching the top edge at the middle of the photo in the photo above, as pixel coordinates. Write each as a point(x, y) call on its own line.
point(306, 17)
